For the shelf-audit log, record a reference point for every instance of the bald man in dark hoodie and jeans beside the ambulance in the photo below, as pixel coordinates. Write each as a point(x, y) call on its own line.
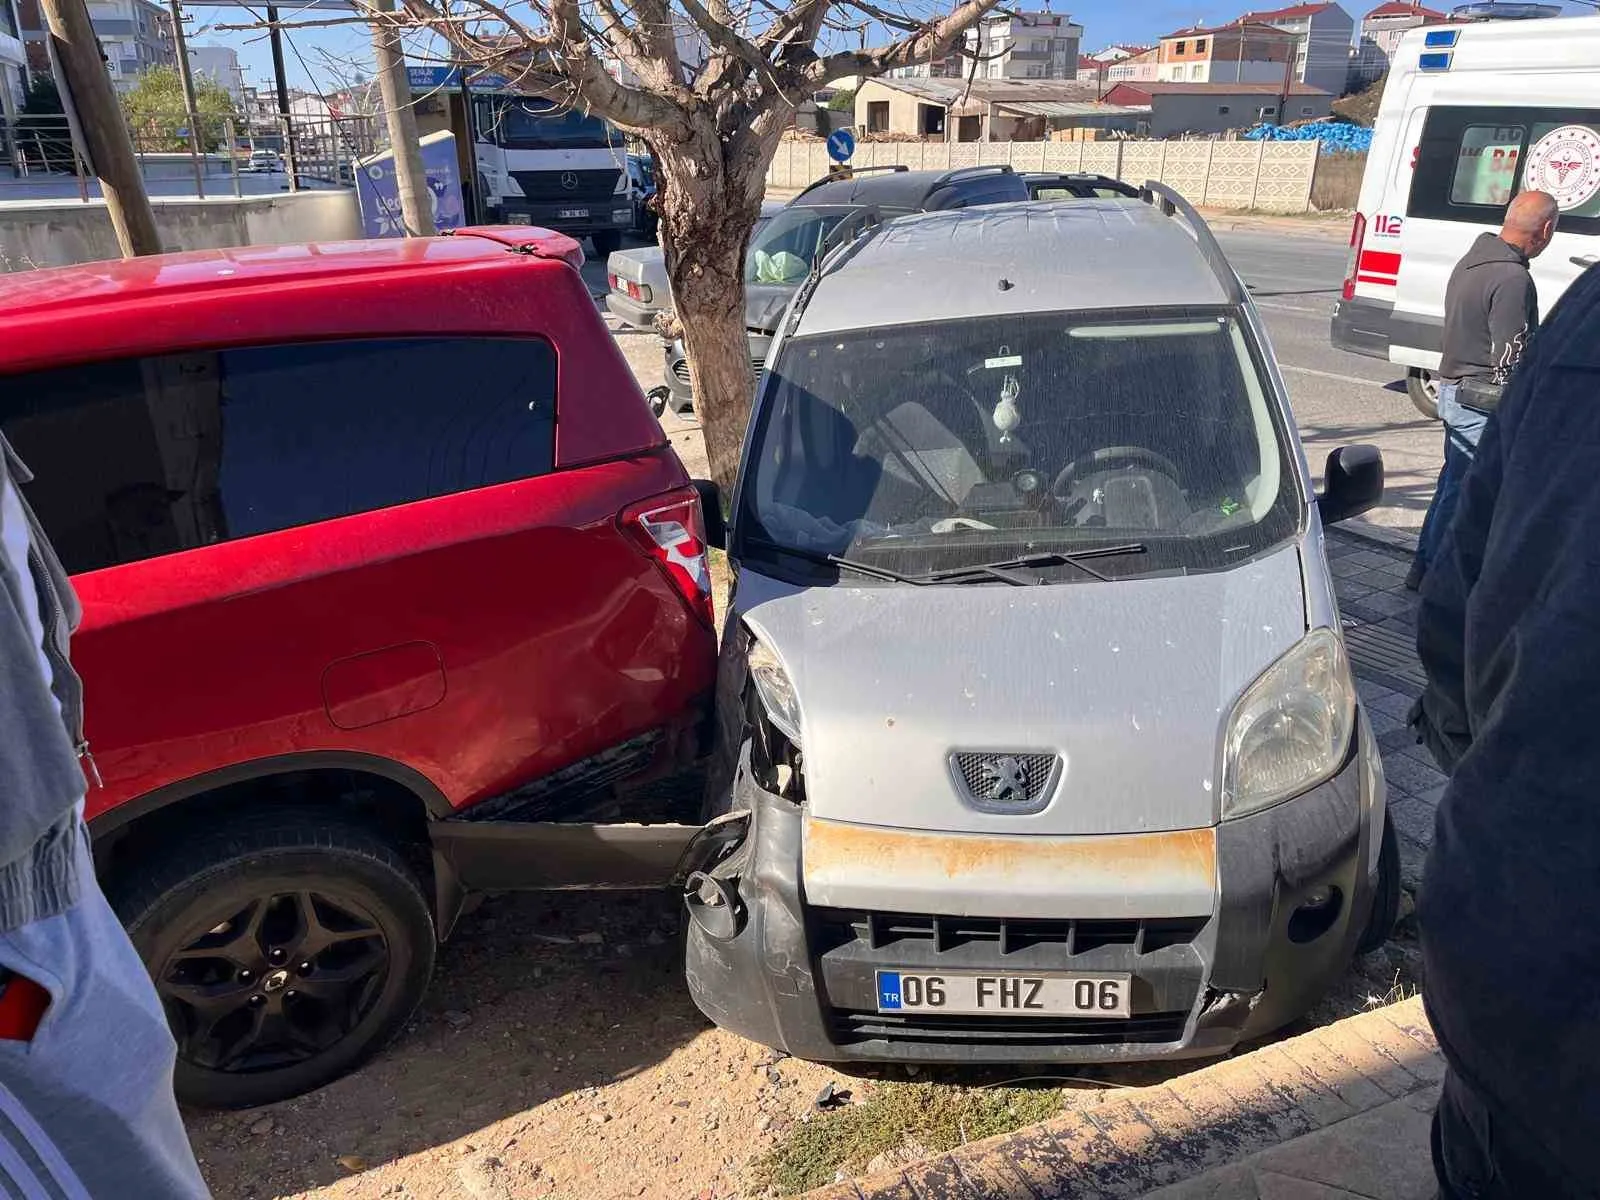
point(1492, 310)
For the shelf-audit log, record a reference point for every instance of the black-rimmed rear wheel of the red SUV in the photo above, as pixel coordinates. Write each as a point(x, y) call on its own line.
point(254, 1025)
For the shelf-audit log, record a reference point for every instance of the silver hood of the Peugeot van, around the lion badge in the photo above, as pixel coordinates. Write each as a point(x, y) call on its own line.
point(1127, 684)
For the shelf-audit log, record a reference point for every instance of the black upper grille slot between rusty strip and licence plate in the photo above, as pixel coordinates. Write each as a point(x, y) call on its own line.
point(841, 927)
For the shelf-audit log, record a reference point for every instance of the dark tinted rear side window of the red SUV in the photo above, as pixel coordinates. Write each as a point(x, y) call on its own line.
point(146, 457)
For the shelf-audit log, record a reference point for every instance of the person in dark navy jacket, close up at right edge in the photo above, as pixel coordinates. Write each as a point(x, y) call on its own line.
point(1510, 634)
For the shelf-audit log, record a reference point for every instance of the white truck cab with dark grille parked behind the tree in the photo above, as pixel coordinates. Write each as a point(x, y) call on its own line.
point(543, 164)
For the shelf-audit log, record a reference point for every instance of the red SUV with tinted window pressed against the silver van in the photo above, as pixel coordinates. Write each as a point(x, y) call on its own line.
point(393, 591)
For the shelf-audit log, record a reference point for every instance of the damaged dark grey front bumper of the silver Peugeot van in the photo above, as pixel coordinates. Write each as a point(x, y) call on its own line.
point(1292, 895)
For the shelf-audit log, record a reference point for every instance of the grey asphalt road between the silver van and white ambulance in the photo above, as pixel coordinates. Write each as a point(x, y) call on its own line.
point(1338, 398)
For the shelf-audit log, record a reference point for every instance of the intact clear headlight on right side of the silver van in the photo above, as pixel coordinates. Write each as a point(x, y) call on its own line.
point(1292, 727)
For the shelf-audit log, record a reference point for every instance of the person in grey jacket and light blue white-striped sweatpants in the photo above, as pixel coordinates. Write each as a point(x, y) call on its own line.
point(86, 1055)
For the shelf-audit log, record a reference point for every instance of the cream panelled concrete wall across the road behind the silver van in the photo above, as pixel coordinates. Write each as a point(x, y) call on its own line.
point(1263, 177)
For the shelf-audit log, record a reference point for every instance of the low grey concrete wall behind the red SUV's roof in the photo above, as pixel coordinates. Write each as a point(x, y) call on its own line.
point(58, 233)
